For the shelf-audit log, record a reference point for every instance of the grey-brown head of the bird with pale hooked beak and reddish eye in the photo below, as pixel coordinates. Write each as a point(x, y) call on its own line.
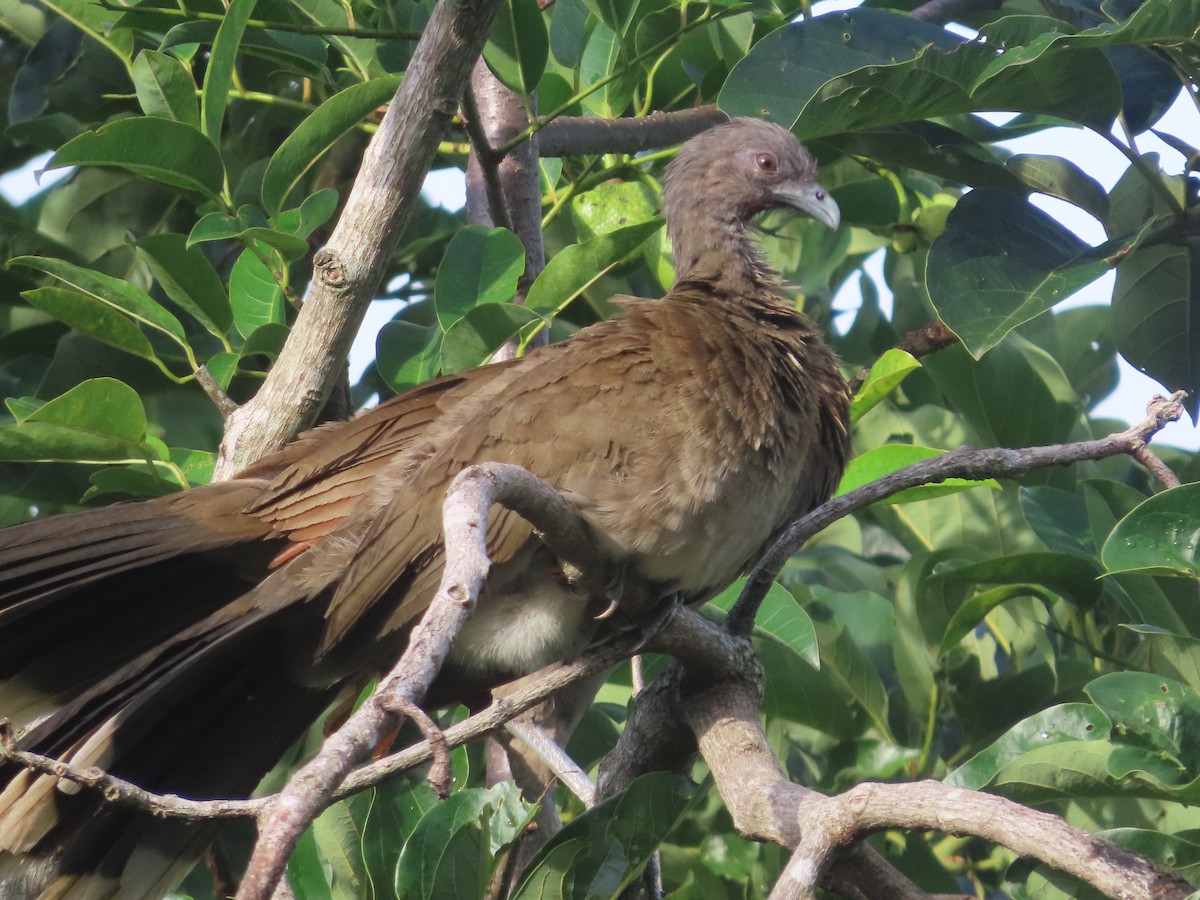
point(727, 176)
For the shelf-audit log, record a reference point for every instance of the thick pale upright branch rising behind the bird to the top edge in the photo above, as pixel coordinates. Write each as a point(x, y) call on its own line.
point(349, 271)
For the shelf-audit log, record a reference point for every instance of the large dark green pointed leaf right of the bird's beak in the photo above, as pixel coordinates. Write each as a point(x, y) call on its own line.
point(1000, 263)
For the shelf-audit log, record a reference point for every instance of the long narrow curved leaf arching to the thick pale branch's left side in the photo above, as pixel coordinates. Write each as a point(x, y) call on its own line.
point(311, 139)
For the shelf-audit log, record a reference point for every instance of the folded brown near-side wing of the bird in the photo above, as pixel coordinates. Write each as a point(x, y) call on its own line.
point(563, 416)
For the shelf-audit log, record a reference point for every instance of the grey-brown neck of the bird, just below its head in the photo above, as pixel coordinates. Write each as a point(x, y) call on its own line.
point(721, 250)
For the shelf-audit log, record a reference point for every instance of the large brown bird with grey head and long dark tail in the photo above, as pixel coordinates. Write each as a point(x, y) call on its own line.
point(187, 643)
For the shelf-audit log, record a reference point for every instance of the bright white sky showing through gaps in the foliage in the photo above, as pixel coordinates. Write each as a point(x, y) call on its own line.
point(1087, 149)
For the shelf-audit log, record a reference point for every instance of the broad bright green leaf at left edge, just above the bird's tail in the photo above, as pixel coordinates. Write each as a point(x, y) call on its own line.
point(100, 421)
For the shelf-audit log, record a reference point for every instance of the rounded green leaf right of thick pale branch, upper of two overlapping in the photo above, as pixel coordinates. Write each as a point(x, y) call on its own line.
point(481, 267)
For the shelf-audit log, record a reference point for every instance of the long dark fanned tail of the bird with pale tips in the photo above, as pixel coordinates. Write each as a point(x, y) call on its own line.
point(123, 646)
